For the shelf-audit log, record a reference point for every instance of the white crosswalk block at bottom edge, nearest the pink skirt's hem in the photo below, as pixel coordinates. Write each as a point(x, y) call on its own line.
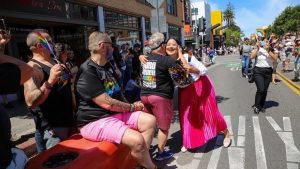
point(236, 158)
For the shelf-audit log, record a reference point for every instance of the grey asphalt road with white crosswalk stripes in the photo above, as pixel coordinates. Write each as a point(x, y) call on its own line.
point(268, 140)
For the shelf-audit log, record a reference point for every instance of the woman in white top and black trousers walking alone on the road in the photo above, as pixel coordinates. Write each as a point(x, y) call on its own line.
point(262, 73)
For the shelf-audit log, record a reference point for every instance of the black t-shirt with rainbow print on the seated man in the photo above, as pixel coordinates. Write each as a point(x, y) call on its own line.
point(93, 80)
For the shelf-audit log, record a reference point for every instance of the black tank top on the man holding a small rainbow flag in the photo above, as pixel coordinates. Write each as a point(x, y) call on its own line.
point(57, 109)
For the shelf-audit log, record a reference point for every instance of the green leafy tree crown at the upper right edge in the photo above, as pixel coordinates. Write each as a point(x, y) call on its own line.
point(287, 21)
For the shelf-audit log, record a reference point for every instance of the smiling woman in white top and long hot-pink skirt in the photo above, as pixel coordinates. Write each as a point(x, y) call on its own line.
point(200, 118)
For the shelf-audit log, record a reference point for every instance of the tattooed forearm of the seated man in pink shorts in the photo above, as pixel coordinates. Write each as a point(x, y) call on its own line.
point(108, 103)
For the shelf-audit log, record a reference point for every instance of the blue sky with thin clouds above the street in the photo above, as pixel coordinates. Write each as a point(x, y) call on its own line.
point(251, 14)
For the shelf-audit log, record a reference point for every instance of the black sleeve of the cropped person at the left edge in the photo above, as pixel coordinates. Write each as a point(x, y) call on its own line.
point(10, 77)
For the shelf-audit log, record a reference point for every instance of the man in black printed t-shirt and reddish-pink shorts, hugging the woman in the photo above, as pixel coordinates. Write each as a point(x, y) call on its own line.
point(157, 90)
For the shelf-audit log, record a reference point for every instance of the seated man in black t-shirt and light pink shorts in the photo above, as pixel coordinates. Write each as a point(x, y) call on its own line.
point(103, 114)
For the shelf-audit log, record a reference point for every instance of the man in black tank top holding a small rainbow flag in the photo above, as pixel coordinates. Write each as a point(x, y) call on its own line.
point(48, 93)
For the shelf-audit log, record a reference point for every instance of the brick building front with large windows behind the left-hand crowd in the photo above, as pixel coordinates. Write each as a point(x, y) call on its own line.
point(70, 21)
